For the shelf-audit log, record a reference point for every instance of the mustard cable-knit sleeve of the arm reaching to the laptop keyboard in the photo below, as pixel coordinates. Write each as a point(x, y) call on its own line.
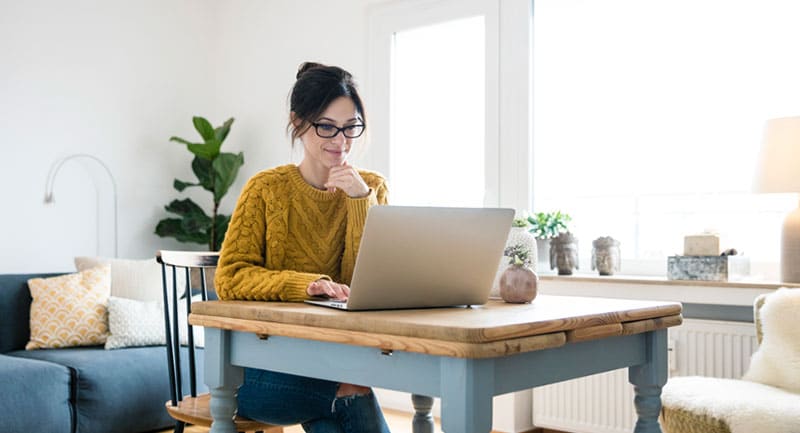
point(241, 272)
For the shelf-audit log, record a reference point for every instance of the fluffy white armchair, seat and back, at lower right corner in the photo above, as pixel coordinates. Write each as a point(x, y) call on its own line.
point(768, 399)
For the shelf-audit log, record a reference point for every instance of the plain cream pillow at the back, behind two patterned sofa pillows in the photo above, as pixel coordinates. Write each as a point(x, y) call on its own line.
point(132, 279)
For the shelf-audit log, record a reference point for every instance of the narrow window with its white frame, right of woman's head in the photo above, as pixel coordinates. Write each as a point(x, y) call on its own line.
point(434, 87)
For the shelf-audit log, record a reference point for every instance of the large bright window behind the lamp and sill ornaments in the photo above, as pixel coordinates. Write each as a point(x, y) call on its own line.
point(648, 119)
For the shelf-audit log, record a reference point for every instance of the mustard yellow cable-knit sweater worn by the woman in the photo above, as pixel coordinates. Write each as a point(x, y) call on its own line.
point(284, 234)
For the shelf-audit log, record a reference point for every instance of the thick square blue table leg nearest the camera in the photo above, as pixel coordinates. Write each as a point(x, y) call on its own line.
point(467, 389)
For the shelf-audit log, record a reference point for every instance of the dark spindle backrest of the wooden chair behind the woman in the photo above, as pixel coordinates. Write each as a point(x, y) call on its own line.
point(177, 289)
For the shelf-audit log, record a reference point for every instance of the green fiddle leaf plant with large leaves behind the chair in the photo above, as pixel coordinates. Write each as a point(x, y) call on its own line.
point(215, 171)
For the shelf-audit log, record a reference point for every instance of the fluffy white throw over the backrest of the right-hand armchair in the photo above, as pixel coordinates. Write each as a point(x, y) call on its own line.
point(776, 360)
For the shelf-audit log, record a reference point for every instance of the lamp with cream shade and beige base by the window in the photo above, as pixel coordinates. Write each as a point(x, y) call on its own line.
point(778, 170)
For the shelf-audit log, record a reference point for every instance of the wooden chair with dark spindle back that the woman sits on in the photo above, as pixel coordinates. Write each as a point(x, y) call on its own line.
point(178, 269)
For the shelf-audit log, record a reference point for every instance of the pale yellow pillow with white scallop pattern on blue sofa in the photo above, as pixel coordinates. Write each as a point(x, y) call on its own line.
point(70, 310)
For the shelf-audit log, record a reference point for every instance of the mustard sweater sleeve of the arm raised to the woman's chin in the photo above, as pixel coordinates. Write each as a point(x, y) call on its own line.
point(356, 216)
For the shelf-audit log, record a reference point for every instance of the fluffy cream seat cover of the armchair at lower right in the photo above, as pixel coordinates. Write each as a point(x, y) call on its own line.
point(747, 407)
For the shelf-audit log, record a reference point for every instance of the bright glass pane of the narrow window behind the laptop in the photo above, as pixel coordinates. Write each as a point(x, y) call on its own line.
point(438, 114)
